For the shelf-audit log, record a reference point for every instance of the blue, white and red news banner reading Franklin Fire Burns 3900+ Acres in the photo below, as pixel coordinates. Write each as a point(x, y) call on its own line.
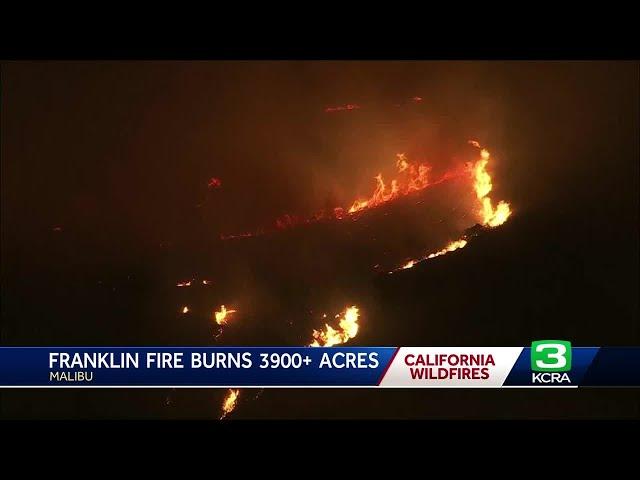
point(546, 363)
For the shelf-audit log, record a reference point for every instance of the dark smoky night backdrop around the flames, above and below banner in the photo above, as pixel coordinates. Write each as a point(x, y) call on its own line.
point(105, 206)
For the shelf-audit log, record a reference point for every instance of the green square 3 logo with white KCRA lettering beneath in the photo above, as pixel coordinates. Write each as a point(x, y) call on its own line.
point(550, 361)
